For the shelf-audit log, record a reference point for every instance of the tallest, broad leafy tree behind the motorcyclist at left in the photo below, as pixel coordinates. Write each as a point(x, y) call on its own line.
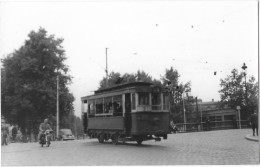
point(28, 78)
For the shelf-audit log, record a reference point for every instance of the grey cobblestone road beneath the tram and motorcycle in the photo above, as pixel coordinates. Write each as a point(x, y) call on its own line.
point(215, 147)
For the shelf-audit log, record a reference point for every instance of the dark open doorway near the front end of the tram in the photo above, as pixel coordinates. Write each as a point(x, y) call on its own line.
point(128, 118)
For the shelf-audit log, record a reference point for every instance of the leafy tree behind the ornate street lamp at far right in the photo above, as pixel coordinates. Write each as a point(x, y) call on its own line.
point(233, 92)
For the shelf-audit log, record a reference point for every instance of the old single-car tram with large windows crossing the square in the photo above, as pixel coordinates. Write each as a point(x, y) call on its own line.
point(137, 111)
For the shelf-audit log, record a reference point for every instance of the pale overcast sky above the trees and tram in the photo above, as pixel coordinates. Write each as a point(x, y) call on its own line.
point(196, 38)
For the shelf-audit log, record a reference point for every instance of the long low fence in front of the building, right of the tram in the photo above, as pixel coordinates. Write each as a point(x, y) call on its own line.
point(214, 125)
